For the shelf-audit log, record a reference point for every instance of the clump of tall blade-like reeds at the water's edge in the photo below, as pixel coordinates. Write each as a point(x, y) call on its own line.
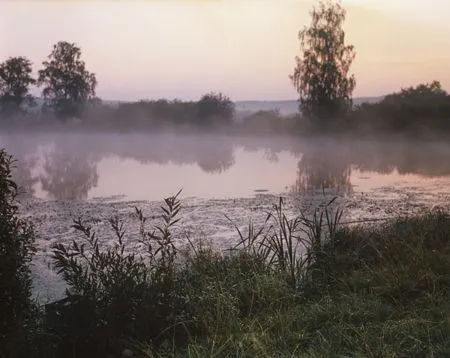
point(293, 246)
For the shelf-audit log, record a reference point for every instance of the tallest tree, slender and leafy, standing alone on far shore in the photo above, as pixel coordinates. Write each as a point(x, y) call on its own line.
point(321, 73)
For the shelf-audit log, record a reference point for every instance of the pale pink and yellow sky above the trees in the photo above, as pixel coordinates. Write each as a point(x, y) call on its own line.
point(243, 48)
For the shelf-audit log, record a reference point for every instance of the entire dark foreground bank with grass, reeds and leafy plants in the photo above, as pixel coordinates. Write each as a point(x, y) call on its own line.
point(372, 291)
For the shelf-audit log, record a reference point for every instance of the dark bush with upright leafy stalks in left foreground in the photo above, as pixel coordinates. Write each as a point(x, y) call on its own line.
point(114, 294)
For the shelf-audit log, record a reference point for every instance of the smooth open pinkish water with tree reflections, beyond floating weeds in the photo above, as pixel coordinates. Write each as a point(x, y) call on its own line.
point(79, 166)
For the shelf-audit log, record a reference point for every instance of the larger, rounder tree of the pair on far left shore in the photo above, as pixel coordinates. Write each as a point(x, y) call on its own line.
point(68, 86)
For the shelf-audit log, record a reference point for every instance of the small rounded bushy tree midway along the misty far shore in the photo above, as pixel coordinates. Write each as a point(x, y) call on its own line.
point(215, 106)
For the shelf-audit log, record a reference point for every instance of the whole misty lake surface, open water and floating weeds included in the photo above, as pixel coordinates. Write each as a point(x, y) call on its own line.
point(97, 176)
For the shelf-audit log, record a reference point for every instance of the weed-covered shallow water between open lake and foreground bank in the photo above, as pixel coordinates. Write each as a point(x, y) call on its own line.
point(201, 219)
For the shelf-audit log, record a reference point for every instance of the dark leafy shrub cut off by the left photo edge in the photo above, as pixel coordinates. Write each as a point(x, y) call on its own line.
point(16, 250)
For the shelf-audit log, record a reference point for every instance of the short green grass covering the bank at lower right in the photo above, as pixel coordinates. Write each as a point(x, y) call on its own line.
point(384, 293)
